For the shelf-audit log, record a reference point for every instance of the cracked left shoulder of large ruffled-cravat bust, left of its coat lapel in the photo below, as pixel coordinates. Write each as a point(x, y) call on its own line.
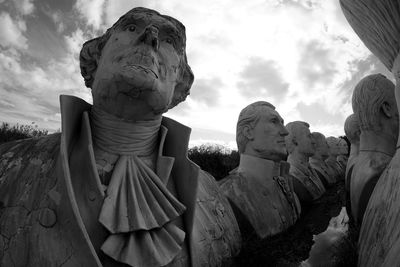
point(38, 225)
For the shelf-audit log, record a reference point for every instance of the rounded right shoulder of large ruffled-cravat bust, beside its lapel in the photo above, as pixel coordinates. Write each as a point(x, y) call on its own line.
point(217, 237)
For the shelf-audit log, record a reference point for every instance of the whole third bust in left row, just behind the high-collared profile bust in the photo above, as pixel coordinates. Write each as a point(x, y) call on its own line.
point(301, 147)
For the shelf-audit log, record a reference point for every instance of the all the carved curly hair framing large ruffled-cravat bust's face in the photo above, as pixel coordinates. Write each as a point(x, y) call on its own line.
point(91, 52)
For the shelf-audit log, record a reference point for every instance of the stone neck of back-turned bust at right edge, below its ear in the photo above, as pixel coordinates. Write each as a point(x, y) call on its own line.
point(375, 142)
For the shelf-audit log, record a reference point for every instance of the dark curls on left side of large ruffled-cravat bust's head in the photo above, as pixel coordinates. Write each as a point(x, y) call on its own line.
point(88, 58)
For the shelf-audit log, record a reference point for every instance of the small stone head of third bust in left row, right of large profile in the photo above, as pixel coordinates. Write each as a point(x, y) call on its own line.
point(300, 139)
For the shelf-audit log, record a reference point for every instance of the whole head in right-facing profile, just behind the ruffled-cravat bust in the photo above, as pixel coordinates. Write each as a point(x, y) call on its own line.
point(260, 132)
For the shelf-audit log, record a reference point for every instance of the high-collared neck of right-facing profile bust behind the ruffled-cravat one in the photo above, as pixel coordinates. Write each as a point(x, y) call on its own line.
point(258, 168)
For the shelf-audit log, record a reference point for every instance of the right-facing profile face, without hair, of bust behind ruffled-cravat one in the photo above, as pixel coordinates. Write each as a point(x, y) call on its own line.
point(267, 138)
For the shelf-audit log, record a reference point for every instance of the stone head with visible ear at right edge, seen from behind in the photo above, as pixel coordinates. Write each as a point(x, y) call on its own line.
point(374, 105)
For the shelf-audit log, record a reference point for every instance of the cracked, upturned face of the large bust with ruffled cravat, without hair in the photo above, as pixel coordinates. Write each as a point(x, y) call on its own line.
point(138, 68)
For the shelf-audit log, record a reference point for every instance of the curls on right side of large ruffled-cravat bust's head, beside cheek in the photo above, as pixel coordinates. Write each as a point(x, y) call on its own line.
point(182, 88)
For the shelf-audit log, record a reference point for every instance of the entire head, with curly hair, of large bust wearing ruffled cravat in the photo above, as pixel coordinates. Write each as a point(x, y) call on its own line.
point(138, 68)
